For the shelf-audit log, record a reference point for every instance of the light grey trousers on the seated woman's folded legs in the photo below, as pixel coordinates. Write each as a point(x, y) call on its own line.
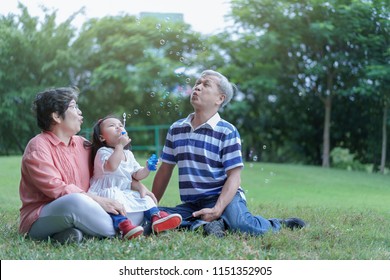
point(75, 210)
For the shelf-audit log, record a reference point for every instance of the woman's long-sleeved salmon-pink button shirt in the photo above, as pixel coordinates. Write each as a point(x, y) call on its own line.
point(50, 169)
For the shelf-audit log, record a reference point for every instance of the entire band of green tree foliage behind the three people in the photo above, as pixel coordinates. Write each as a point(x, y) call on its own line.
point(288, 58)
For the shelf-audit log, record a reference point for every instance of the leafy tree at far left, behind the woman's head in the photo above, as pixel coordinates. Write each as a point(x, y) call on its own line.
point(34, 55)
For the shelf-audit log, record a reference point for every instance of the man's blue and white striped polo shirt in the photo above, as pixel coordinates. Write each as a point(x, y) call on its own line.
point(203, 155)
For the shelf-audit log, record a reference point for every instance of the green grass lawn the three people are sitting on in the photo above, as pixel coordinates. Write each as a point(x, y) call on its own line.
point(347, 212)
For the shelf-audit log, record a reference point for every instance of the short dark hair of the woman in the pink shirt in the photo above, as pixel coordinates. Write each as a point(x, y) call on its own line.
point(55, 100)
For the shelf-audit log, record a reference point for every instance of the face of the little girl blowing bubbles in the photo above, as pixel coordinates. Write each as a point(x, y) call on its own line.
point(111, 131)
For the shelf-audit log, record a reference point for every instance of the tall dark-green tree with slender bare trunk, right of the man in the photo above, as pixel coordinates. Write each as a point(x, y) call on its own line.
point(315, 41)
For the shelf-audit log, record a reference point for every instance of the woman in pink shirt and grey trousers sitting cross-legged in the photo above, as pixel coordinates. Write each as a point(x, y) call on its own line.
point(55, 176)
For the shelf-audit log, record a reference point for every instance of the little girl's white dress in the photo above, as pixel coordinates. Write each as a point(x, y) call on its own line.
point(117, 184)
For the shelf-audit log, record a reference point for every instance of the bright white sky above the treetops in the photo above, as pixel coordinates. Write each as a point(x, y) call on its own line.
point(206, 16)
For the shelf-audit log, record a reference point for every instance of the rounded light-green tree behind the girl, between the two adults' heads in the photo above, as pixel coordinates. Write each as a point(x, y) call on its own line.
point(135, 66)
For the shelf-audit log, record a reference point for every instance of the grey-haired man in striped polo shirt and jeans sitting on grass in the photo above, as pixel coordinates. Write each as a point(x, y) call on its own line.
point(207, 151)
